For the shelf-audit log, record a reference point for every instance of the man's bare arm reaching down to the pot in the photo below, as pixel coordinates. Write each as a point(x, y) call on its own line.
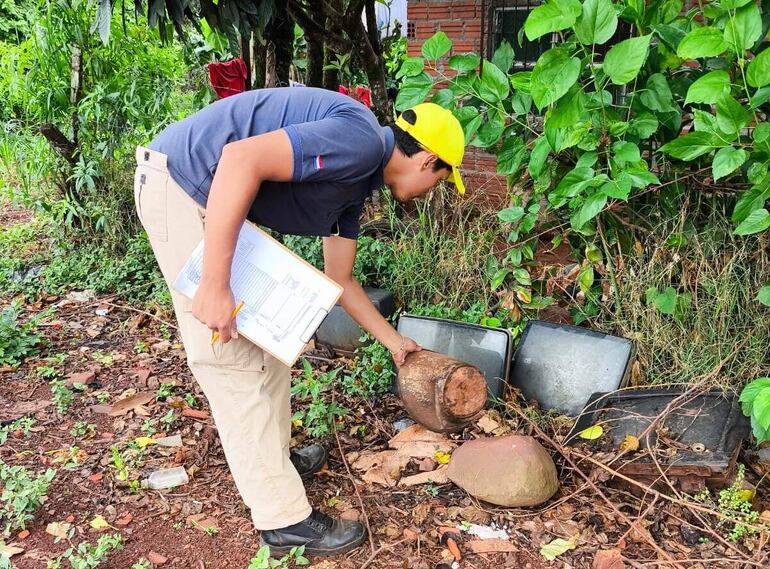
point(339, 256)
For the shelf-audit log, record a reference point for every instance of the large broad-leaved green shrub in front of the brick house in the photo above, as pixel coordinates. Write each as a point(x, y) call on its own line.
point(594, 125)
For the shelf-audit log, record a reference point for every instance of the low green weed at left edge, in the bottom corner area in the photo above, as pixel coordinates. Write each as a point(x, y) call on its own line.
point(22, 494)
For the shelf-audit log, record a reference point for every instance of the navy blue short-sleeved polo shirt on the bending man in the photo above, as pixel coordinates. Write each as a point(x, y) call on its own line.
point(339, 150)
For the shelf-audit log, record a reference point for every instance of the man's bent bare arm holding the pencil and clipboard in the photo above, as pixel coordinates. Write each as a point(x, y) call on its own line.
point(242, 167)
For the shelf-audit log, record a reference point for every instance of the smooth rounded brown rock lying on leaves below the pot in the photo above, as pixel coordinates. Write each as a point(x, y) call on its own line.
point(507, 471)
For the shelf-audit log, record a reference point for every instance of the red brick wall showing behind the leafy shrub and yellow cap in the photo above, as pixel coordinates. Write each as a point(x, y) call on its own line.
point(461, 21)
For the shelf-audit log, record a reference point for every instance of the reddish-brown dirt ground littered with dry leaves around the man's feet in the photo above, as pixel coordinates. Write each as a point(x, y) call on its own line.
point(173, 522)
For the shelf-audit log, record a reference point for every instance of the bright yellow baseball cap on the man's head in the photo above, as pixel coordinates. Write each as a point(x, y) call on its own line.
point(439, 132)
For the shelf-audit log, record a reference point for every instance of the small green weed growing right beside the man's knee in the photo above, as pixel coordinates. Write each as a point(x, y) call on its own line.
point(319, 415)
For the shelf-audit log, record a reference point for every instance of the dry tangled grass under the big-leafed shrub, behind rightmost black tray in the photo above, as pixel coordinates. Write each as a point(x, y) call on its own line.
point(722, 273)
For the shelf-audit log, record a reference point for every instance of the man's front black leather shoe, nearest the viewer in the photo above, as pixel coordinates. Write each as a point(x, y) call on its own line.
point(321, 535)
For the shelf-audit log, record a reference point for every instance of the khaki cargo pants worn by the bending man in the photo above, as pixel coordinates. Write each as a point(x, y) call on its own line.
point(247, 389)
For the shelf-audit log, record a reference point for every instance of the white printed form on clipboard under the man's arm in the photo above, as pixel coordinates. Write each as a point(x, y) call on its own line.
point(285, 298)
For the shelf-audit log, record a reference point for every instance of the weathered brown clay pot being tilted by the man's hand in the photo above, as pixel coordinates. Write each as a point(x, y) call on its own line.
point(439, 392)
